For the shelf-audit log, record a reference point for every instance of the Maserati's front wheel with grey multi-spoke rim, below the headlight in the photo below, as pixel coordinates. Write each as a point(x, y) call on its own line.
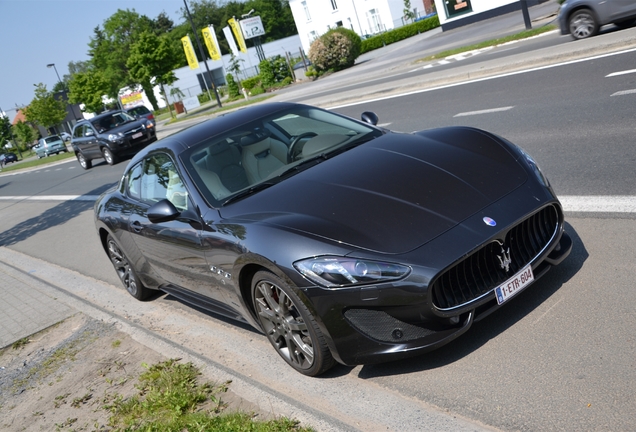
point(289, 325)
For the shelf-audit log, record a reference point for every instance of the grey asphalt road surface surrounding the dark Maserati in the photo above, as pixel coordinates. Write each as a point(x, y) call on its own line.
point(558, 357)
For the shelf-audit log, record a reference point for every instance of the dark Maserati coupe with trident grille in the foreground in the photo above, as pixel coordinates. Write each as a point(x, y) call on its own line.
point(339, 240)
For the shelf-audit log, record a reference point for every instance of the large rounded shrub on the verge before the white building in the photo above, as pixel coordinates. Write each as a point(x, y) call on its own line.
point(333, 51)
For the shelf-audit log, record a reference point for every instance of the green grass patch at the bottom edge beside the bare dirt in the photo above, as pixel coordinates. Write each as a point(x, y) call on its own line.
point(170, 398)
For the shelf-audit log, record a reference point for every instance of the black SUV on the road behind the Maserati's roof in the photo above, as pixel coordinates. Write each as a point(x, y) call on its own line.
point(111, 135)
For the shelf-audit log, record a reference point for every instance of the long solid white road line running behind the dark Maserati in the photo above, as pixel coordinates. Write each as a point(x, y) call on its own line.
point(571, 203)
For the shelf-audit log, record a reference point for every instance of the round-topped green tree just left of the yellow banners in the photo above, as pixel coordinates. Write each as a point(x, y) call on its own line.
point(152, 58)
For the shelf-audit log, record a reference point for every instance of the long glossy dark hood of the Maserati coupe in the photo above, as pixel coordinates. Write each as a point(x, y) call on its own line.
point(392, 194)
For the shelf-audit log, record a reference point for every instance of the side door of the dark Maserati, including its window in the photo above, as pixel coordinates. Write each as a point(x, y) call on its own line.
point(171, 249)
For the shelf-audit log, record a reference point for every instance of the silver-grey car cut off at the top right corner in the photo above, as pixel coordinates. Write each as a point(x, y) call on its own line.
point(584, 18)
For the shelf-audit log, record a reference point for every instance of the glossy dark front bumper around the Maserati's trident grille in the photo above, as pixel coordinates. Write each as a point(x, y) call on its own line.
point(397, 320)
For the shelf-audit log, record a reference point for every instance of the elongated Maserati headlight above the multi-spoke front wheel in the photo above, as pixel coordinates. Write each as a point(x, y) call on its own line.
point(343, 272)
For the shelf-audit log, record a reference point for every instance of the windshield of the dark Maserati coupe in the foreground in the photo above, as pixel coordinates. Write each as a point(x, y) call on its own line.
point(235, 163)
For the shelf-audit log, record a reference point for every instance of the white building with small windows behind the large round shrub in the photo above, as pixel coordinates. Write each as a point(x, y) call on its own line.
point(366, 17)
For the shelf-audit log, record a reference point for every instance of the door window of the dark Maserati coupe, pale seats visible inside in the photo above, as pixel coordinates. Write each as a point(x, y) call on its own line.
point(160, 180)
